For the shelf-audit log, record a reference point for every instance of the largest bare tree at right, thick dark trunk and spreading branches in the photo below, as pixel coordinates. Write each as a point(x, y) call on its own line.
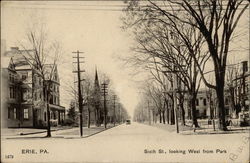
point(215, 20)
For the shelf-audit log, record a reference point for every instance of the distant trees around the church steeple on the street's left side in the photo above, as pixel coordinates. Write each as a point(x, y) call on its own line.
point(99, 110)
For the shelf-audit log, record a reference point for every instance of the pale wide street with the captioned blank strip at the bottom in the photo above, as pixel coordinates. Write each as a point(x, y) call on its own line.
point(127, 143)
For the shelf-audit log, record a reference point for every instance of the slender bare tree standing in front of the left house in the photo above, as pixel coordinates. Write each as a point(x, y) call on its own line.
point(42, 52)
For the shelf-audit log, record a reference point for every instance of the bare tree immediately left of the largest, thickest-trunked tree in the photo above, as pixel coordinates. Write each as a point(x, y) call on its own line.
point(168, 43)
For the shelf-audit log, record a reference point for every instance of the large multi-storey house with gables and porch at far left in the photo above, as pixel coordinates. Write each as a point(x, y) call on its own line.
point(23, 97)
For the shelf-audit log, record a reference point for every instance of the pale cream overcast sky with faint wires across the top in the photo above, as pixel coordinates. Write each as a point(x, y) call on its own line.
point(91, 27)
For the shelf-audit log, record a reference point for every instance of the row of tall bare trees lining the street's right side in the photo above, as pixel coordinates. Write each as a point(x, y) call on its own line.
point(175, 40)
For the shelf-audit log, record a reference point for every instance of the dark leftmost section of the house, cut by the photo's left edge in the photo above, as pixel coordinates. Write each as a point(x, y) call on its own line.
point(16, 108)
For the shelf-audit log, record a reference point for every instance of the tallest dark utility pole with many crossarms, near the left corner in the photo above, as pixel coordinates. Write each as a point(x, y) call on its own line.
point(80, 99)
